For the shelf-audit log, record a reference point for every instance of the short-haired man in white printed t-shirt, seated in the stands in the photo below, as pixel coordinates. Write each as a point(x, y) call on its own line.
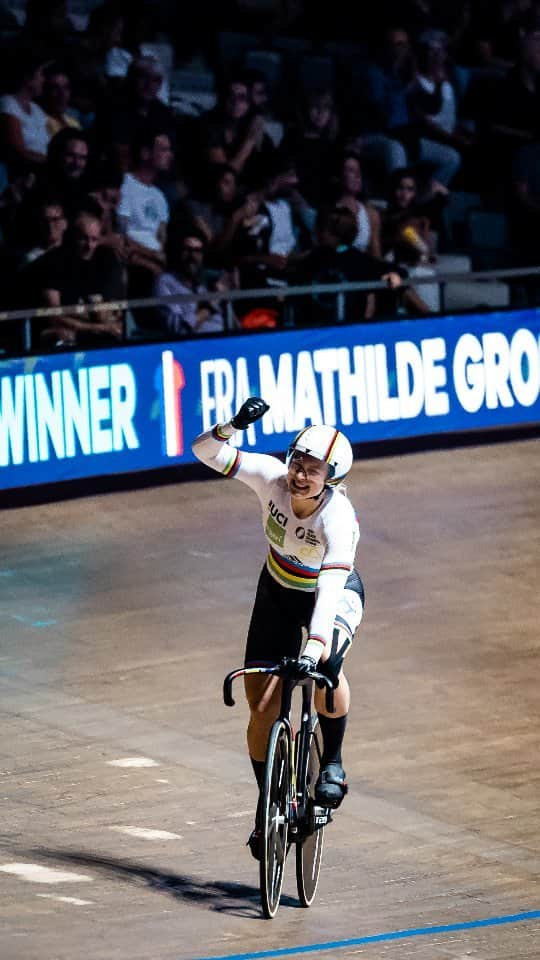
point(143, 212)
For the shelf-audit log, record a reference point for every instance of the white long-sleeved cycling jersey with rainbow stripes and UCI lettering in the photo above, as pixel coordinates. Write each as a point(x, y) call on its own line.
point(315, 553)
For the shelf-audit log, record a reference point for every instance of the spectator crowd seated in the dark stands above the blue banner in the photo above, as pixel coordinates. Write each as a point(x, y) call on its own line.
point(332, 152)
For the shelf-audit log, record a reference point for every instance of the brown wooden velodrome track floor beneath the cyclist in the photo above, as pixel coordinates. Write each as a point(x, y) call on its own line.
point(121, 614)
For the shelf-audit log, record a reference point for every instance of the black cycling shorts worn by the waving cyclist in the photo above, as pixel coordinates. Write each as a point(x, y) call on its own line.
point(277, 619)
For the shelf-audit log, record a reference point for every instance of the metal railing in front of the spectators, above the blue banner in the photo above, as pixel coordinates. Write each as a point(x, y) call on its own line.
point(279, 292)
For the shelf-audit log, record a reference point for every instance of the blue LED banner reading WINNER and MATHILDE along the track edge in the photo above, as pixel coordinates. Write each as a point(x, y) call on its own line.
point(76, 415)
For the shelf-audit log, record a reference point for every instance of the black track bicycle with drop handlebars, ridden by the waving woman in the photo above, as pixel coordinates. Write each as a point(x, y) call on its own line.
point(289, 813)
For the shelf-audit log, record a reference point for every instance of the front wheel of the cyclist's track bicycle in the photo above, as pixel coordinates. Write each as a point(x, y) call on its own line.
point(275, 817)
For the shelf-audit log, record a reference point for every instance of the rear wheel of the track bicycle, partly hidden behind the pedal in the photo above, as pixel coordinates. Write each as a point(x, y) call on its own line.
point(309, 850)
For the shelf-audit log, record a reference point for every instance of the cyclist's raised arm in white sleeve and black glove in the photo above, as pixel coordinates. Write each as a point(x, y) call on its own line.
point(213, 448)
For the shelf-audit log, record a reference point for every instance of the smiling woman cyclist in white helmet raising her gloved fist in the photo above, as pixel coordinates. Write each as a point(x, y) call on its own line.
point(308, 581)
